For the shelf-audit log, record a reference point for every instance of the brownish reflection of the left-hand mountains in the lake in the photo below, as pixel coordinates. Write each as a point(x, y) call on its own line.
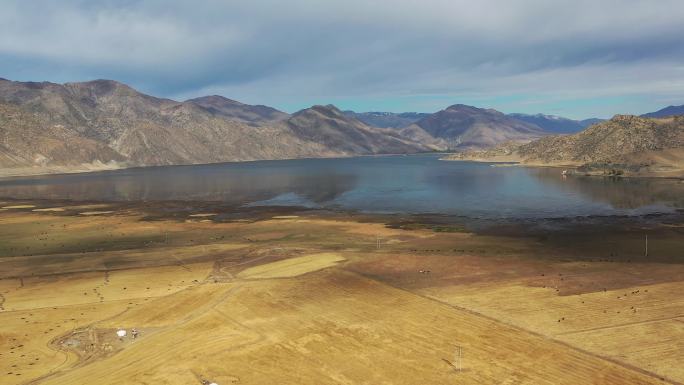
point(239, 184)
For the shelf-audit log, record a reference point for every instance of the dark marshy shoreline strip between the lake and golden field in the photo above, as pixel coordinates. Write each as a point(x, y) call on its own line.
point(225, 212)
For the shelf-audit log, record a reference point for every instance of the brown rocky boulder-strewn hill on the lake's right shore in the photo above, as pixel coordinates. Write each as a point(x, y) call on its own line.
point(623, 145)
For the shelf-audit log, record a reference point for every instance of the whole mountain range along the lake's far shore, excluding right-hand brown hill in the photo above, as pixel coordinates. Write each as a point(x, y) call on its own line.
point(103, 124)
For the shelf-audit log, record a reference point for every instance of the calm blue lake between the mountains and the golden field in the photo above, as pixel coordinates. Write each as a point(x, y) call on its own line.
point(379, 184)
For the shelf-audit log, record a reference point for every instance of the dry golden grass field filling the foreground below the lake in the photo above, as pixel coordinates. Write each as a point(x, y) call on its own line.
point(318, 298)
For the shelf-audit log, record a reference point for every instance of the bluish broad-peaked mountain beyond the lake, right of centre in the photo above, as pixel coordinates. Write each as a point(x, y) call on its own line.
point(465, 127)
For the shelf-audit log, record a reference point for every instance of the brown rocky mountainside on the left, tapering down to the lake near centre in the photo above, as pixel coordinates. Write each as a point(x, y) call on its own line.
point(104, 122)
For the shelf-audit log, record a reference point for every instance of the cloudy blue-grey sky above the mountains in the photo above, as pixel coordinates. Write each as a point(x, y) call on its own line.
point(576, 58)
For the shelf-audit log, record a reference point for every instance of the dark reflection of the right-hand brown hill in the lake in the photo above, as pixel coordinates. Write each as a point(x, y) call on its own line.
point(623, 193)
